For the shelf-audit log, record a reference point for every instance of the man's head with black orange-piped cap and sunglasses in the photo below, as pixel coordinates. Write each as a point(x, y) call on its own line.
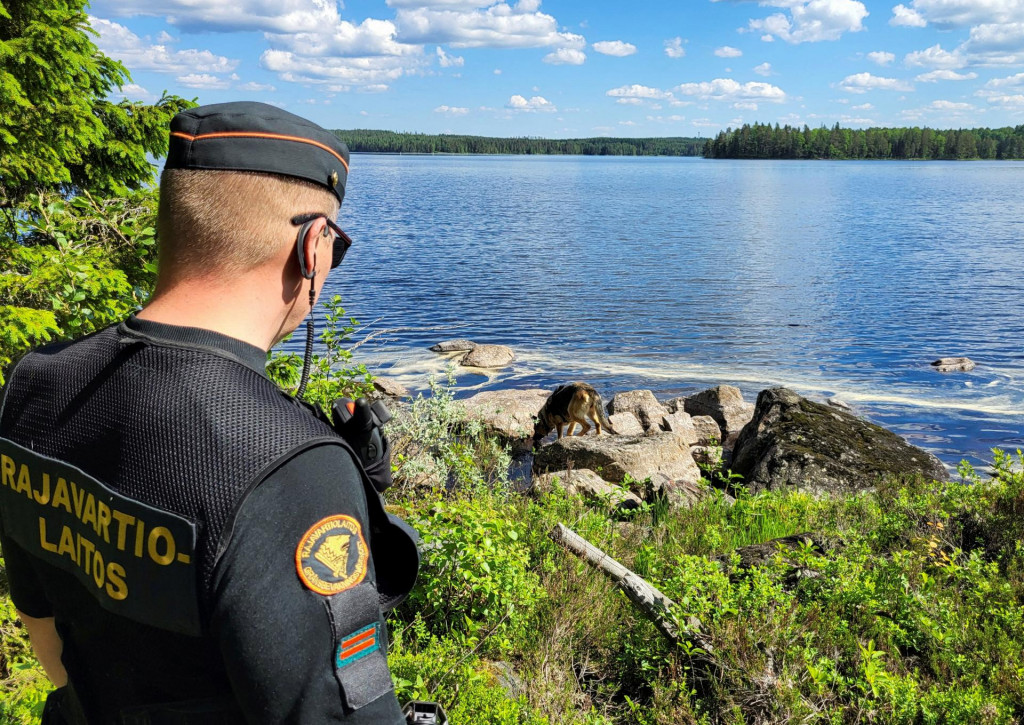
point(237, 177)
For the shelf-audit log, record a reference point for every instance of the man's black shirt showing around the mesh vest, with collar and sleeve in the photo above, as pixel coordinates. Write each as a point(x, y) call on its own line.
point(285, 653)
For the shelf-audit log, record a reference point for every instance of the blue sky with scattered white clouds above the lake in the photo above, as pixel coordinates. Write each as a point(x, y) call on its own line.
point(560, 69)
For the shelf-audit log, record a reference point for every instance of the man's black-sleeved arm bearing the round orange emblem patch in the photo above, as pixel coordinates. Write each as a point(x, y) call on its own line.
point(295, 610)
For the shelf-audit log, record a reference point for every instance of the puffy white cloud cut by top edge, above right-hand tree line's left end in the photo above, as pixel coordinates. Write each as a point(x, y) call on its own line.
point(810, 21)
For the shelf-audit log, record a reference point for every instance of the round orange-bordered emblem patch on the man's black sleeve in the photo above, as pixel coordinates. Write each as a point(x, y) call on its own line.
point(333, 556)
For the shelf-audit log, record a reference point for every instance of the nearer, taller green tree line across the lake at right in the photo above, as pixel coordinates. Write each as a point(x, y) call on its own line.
point(766, 142)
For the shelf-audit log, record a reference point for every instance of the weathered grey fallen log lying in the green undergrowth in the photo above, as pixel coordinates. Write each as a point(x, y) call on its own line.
point(649, 599)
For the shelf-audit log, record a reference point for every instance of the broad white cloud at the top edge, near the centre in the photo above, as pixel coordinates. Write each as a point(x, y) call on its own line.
point(466, 25)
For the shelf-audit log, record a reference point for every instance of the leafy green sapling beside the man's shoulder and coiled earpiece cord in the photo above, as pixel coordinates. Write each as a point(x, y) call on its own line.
point(332, 375)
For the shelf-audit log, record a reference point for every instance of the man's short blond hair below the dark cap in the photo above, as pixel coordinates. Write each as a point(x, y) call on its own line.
point(231, 222)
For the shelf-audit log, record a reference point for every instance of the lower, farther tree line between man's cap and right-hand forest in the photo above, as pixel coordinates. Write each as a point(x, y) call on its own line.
point(394, 143)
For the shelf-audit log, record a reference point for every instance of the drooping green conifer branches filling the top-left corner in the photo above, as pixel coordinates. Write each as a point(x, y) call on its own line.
point(58, 130)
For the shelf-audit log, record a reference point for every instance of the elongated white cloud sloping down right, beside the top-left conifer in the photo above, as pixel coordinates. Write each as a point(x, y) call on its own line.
point(120, 44)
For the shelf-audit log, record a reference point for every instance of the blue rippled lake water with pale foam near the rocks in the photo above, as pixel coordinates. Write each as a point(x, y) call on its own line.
point(837, 279)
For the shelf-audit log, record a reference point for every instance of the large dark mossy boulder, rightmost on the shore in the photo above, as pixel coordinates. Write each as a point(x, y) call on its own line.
point(793, 442)
